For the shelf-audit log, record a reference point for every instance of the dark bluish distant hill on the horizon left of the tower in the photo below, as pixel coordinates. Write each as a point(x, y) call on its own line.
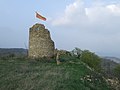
point(12, 51)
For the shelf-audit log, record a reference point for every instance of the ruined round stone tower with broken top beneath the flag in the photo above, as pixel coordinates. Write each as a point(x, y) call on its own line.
point(40, 43)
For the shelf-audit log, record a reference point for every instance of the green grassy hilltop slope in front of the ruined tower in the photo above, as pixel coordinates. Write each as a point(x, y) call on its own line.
point(71, 74)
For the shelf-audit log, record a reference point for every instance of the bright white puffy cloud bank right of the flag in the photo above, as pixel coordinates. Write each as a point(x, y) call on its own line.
point(77, 14)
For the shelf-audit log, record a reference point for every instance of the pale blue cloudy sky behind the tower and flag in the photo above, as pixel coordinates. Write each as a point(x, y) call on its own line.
point(87, 24)
